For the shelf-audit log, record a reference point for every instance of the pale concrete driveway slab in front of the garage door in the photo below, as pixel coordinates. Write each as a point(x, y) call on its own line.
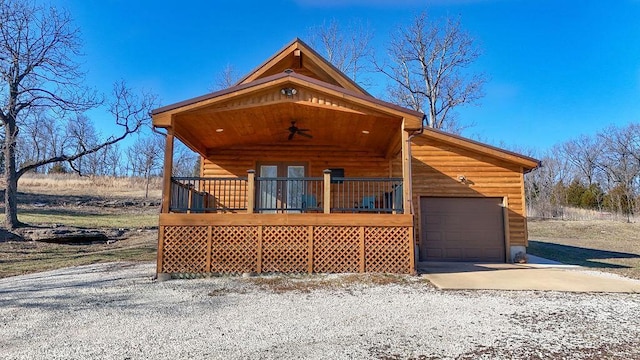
point(538, 274)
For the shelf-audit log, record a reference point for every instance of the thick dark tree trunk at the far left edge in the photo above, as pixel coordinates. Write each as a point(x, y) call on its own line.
point(11, 178)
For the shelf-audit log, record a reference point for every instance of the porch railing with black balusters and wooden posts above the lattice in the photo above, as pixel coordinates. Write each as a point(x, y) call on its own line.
point(286, 195)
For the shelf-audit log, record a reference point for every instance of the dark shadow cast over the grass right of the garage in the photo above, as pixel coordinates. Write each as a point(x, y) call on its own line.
point(574, 255)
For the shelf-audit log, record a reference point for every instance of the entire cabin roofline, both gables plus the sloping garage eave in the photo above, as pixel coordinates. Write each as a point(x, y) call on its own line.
point(316, 76)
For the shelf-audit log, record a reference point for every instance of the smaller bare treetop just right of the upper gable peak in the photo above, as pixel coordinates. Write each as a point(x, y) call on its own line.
point(346, 48)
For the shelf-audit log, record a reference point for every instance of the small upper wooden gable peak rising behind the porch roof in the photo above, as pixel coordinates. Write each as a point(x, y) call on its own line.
point(300, 58)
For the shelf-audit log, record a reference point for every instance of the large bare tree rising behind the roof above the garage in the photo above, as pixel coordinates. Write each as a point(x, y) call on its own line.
point(427, 69)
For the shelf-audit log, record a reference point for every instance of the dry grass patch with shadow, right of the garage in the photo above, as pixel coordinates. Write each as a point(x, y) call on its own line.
point(604, 245)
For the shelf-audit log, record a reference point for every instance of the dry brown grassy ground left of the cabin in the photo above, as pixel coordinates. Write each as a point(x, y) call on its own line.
point(83, 202)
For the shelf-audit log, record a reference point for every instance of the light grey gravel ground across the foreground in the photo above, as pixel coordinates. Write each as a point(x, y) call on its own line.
point(116, 311)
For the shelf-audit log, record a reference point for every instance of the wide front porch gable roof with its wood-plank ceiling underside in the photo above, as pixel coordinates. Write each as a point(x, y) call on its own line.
point(256, 112)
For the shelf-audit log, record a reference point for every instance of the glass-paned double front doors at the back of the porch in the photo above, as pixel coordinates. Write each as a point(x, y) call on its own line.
point(278, 191)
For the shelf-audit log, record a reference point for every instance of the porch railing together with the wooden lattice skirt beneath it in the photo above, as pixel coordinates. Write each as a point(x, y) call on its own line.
point(285, 224)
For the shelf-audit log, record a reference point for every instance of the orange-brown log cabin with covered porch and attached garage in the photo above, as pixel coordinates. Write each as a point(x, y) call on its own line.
point(303, 171)
